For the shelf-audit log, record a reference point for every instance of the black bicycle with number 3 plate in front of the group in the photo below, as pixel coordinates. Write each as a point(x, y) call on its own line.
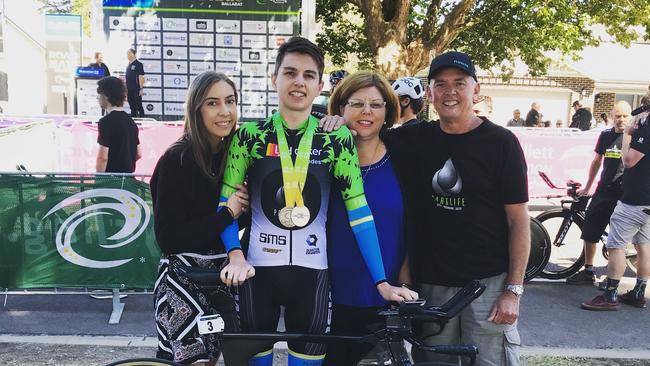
point(397, 328)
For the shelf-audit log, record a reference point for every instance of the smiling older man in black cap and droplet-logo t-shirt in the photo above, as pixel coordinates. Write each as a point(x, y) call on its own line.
point(472, 224)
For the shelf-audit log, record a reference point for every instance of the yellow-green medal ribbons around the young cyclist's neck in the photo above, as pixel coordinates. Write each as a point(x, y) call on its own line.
point(294, 175)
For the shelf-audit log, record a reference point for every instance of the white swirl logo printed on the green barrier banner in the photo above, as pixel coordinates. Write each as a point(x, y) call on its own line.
point(129, 207)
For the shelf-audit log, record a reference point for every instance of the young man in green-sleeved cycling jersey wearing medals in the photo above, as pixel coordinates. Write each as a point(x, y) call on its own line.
point(290, 166)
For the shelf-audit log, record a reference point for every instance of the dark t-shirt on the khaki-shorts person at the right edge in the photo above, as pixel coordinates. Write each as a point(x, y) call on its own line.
point(636, 180)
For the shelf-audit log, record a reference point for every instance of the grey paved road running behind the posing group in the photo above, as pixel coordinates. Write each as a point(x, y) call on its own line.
point(551, 322)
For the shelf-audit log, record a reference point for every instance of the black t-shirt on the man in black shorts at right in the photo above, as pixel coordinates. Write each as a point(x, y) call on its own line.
point(609, 146)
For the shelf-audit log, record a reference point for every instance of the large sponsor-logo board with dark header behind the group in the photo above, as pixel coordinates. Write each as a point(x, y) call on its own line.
point(178, 39)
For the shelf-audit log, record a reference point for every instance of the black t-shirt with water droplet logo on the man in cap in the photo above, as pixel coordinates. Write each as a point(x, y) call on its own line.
point(463, 183)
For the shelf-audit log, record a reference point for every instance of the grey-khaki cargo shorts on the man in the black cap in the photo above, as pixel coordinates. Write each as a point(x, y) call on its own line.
point(497, 344)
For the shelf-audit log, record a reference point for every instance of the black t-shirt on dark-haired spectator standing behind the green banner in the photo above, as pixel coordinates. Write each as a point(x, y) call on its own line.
point(119, 133)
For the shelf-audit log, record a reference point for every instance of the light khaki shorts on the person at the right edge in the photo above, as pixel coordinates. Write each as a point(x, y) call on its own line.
point(628, 224)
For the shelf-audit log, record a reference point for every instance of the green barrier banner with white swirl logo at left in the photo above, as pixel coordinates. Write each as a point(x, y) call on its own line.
point(72, 231)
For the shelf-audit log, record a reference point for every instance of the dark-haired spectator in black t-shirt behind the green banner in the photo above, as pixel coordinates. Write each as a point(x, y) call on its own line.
point(119, 146)
